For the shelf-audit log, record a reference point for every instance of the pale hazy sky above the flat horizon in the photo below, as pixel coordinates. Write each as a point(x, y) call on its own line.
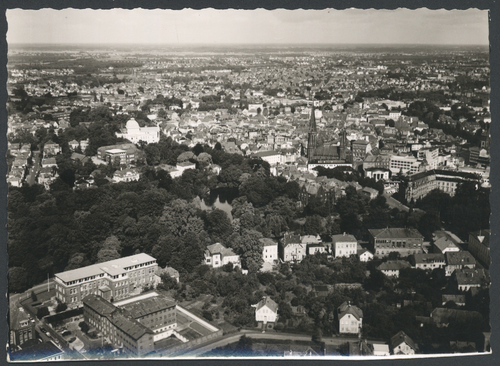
point(210, 26)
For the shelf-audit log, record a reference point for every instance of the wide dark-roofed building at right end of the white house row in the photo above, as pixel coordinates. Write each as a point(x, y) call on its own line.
point(401, 240)
